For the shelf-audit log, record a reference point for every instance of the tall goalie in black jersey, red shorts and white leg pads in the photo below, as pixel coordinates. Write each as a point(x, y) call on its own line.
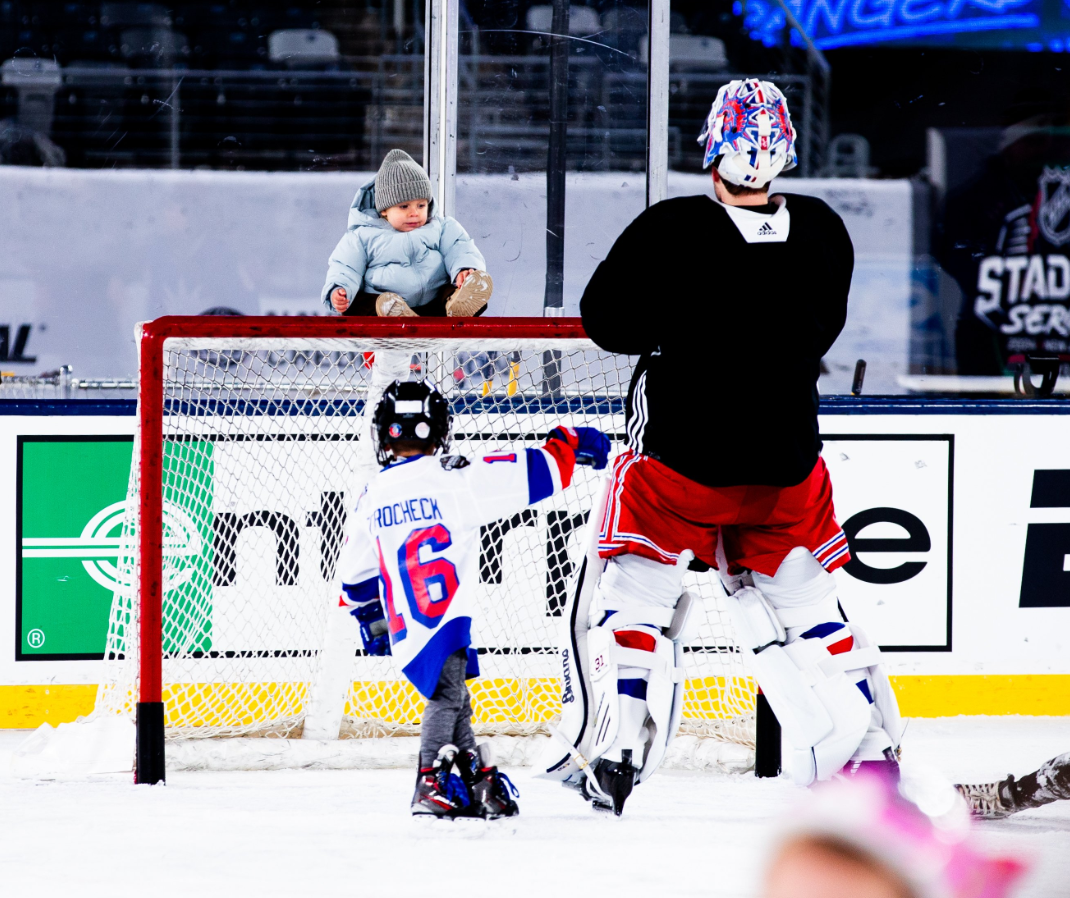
point(759, 293)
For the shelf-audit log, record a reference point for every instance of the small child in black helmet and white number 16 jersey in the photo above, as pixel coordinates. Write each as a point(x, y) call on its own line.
point(410, 569)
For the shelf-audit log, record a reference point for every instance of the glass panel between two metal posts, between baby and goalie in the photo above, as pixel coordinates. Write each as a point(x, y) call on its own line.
point(505, 147)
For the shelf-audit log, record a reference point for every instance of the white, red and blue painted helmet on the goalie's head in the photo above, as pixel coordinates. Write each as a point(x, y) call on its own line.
point(751, 132)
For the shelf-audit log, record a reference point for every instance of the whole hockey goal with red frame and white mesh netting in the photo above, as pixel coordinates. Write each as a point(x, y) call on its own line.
point(252, 448)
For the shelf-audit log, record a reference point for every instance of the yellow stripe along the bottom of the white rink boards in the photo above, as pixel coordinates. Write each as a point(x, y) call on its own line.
point(499, 699)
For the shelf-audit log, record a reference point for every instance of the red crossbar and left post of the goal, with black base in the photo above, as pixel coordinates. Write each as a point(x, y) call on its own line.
point(150, 758)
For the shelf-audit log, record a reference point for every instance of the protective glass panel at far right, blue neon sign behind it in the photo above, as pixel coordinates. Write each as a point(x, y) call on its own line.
point(950, 174)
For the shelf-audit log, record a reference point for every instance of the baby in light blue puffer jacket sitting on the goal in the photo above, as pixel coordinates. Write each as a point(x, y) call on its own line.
point(400, 257)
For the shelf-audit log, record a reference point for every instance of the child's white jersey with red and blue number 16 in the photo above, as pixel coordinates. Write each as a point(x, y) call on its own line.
point(415, 540)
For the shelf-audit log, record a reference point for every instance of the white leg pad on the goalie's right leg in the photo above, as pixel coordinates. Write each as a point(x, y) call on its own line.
point(822, 676)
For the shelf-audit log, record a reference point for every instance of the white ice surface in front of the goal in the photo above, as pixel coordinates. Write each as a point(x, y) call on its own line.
point(349, 832)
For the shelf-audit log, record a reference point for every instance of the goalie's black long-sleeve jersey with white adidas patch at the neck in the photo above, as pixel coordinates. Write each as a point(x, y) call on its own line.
point(730, 313)
